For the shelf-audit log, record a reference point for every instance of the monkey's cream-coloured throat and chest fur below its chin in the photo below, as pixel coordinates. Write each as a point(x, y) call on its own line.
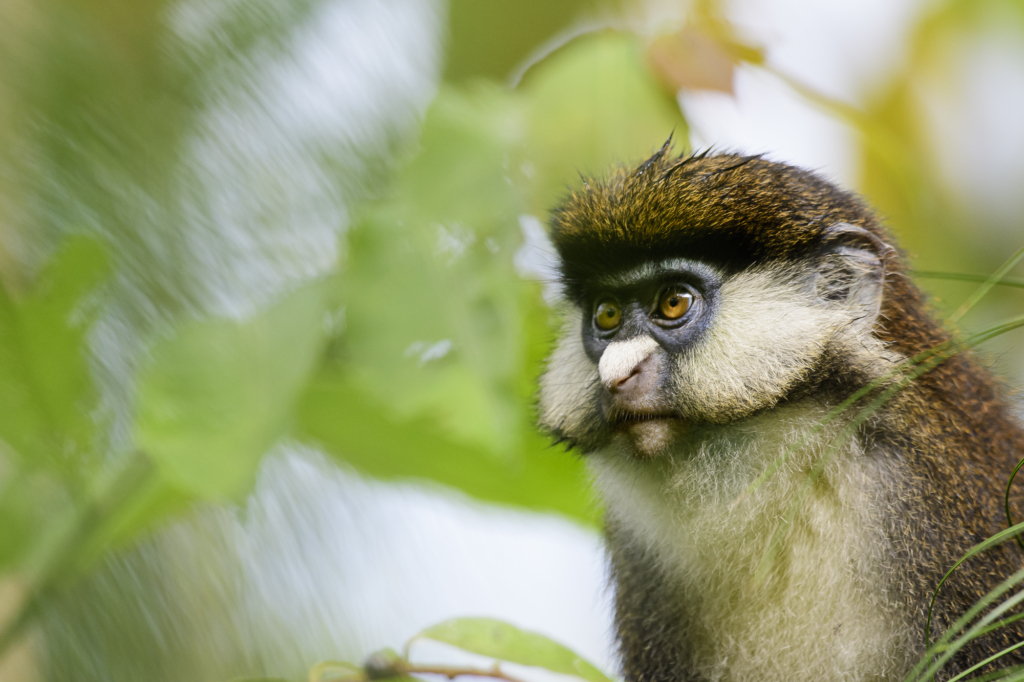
point(786, 583)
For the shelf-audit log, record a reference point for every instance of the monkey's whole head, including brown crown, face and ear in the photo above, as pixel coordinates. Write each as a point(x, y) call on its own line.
point(702, 291)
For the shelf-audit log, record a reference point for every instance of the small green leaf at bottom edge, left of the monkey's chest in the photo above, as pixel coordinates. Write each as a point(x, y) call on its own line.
point(501, 641)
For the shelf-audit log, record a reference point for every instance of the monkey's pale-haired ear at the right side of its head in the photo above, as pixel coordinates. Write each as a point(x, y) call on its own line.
point(851, 269)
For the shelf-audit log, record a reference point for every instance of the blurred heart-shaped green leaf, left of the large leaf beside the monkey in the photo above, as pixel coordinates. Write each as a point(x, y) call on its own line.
point(219, 394)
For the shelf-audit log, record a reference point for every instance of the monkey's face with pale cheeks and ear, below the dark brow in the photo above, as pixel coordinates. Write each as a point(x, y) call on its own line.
point(658, 352)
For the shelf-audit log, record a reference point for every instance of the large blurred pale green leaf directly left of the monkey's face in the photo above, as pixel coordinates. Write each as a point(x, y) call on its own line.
point(435, 308)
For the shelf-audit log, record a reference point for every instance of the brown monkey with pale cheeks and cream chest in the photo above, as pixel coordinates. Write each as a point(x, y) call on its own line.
point(717, 308)
